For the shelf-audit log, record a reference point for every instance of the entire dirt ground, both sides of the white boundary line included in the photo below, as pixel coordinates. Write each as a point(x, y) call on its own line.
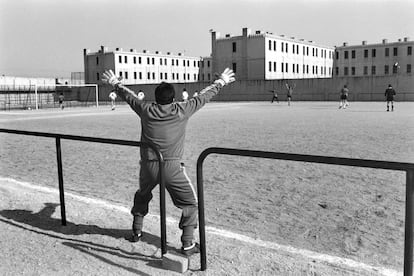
point(264, 217)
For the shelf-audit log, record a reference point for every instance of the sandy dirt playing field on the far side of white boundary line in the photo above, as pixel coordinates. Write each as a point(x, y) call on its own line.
point(348, 212)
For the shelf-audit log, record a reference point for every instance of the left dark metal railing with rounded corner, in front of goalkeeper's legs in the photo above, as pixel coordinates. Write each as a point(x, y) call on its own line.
point(59, 137)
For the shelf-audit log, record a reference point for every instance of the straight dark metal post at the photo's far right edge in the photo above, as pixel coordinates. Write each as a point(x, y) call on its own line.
point(409, 220)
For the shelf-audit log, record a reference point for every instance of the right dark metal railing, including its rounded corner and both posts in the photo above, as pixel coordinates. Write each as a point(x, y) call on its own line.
point(407, 167)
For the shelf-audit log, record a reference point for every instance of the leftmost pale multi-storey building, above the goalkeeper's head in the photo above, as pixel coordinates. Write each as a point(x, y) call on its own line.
point(140, 67)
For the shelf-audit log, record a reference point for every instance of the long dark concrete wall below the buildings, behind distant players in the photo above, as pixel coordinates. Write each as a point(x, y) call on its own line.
point(361, 89)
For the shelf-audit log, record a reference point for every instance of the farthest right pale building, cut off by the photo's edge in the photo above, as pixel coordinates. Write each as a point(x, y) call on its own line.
point(381, 59)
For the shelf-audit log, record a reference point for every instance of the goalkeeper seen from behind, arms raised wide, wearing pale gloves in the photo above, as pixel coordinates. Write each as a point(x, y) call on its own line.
point(163, 124)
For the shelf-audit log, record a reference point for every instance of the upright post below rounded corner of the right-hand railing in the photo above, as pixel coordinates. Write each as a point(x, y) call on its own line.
point(201, 218)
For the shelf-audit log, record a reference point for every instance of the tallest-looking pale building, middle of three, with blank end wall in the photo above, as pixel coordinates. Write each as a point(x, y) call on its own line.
point(265, 56)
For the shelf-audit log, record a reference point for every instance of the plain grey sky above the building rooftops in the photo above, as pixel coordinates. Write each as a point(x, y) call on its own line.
point(46, 38)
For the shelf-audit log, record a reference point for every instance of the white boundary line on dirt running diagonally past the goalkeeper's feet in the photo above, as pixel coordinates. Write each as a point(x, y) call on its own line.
point(339, 261)
